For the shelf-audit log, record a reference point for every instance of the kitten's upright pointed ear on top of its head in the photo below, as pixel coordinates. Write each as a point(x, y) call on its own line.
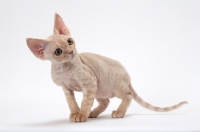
point(59, 26)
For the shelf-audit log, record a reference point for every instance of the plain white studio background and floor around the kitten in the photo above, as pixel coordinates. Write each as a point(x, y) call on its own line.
point(158, 42)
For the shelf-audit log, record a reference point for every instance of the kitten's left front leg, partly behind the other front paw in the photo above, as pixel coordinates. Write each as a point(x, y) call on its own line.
point(73, 106)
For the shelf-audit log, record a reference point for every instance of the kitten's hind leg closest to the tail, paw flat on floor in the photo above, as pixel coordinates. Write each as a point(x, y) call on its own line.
point(126, 95)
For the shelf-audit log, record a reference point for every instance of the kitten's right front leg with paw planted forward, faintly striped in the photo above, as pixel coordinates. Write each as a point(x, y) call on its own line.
point(89, 93)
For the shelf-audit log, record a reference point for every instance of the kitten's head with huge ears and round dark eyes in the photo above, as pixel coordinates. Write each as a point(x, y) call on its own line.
point(59, 47)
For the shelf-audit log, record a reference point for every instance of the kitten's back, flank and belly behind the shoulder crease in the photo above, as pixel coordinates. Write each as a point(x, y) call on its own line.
point(104, 69)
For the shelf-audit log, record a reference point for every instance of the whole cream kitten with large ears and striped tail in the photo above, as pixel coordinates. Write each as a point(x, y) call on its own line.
point(96, 76)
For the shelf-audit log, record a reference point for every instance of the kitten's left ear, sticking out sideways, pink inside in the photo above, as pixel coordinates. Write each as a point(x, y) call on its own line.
point(37, 47)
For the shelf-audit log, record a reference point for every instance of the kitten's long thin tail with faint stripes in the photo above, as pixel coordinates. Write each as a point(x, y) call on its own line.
point(143, 103)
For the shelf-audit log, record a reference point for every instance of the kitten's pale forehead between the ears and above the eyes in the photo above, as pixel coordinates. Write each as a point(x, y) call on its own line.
point(58, 40)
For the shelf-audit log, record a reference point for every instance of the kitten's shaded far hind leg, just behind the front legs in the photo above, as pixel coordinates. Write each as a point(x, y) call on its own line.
point(103, 104)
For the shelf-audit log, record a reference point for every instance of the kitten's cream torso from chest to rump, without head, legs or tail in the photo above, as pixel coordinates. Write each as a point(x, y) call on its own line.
point(103, 71)
